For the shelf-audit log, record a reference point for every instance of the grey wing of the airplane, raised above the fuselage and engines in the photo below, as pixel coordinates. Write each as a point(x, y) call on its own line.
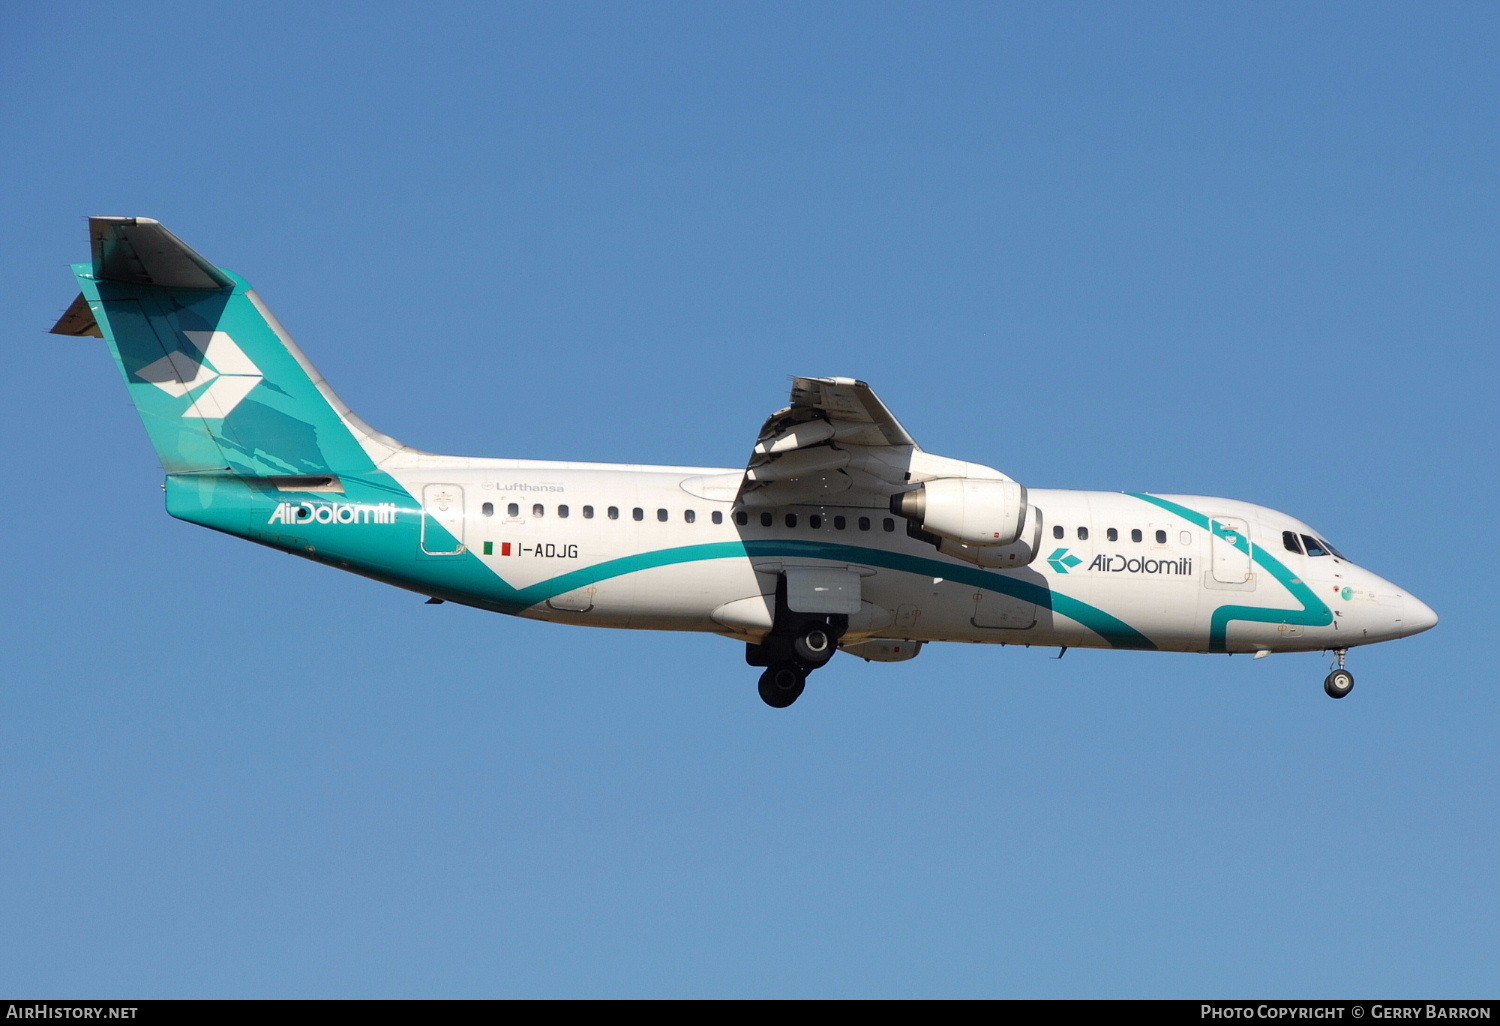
point(836, 443)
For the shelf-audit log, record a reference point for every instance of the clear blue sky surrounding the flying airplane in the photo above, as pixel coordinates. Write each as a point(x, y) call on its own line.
point(1226, 250)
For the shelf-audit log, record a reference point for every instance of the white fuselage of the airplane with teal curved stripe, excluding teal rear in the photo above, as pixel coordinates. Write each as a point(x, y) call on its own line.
point(631, 547)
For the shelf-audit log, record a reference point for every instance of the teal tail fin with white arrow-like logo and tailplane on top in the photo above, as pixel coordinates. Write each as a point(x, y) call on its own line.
point(215, 377)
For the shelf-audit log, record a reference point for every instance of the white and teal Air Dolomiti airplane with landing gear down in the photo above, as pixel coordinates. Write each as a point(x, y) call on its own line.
point(841, 535)
